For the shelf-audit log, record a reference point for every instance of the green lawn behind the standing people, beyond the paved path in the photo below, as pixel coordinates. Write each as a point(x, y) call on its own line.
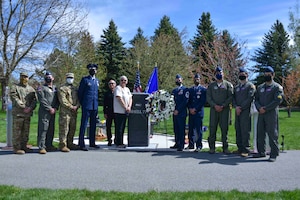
point(289, 127)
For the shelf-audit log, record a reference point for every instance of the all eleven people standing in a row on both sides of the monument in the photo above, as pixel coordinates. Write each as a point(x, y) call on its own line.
point(220, 95)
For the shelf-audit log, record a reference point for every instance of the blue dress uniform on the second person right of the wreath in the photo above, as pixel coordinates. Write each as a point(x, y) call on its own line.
point(197, 100)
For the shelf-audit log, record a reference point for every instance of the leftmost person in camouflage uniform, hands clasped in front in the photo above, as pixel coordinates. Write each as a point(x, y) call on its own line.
point(24, 100)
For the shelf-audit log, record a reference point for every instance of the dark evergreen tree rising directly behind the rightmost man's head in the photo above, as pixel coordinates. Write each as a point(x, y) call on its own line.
point(274, 52)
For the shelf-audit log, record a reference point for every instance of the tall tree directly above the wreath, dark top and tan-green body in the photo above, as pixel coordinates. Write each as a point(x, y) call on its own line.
point(168, 52)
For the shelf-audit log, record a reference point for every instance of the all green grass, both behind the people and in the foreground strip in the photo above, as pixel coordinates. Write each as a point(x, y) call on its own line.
point(289, 127)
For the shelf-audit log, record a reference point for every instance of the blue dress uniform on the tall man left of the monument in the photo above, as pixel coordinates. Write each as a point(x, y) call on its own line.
point(88, 98)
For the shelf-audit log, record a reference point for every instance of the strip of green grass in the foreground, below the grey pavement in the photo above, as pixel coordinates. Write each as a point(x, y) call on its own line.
point(9, 192)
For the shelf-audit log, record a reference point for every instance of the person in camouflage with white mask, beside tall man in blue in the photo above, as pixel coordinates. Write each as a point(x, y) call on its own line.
point(69, 104)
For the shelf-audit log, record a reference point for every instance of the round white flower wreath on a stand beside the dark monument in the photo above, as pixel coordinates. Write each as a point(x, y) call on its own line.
point(160, 105)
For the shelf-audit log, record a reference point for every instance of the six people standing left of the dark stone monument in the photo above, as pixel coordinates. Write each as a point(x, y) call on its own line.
point(66, 99)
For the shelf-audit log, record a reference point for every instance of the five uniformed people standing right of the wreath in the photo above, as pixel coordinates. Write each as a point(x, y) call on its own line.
point(221, 95)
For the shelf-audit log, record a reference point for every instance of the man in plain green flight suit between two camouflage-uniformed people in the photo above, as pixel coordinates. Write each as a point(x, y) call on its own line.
point(49, 104)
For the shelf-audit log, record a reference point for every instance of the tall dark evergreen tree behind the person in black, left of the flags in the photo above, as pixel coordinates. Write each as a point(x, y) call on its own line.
point(112, 49)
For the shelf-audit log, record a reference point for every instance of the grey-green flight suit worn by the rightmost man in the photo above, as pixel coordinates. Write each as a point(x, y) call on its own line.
point(268, 96)
